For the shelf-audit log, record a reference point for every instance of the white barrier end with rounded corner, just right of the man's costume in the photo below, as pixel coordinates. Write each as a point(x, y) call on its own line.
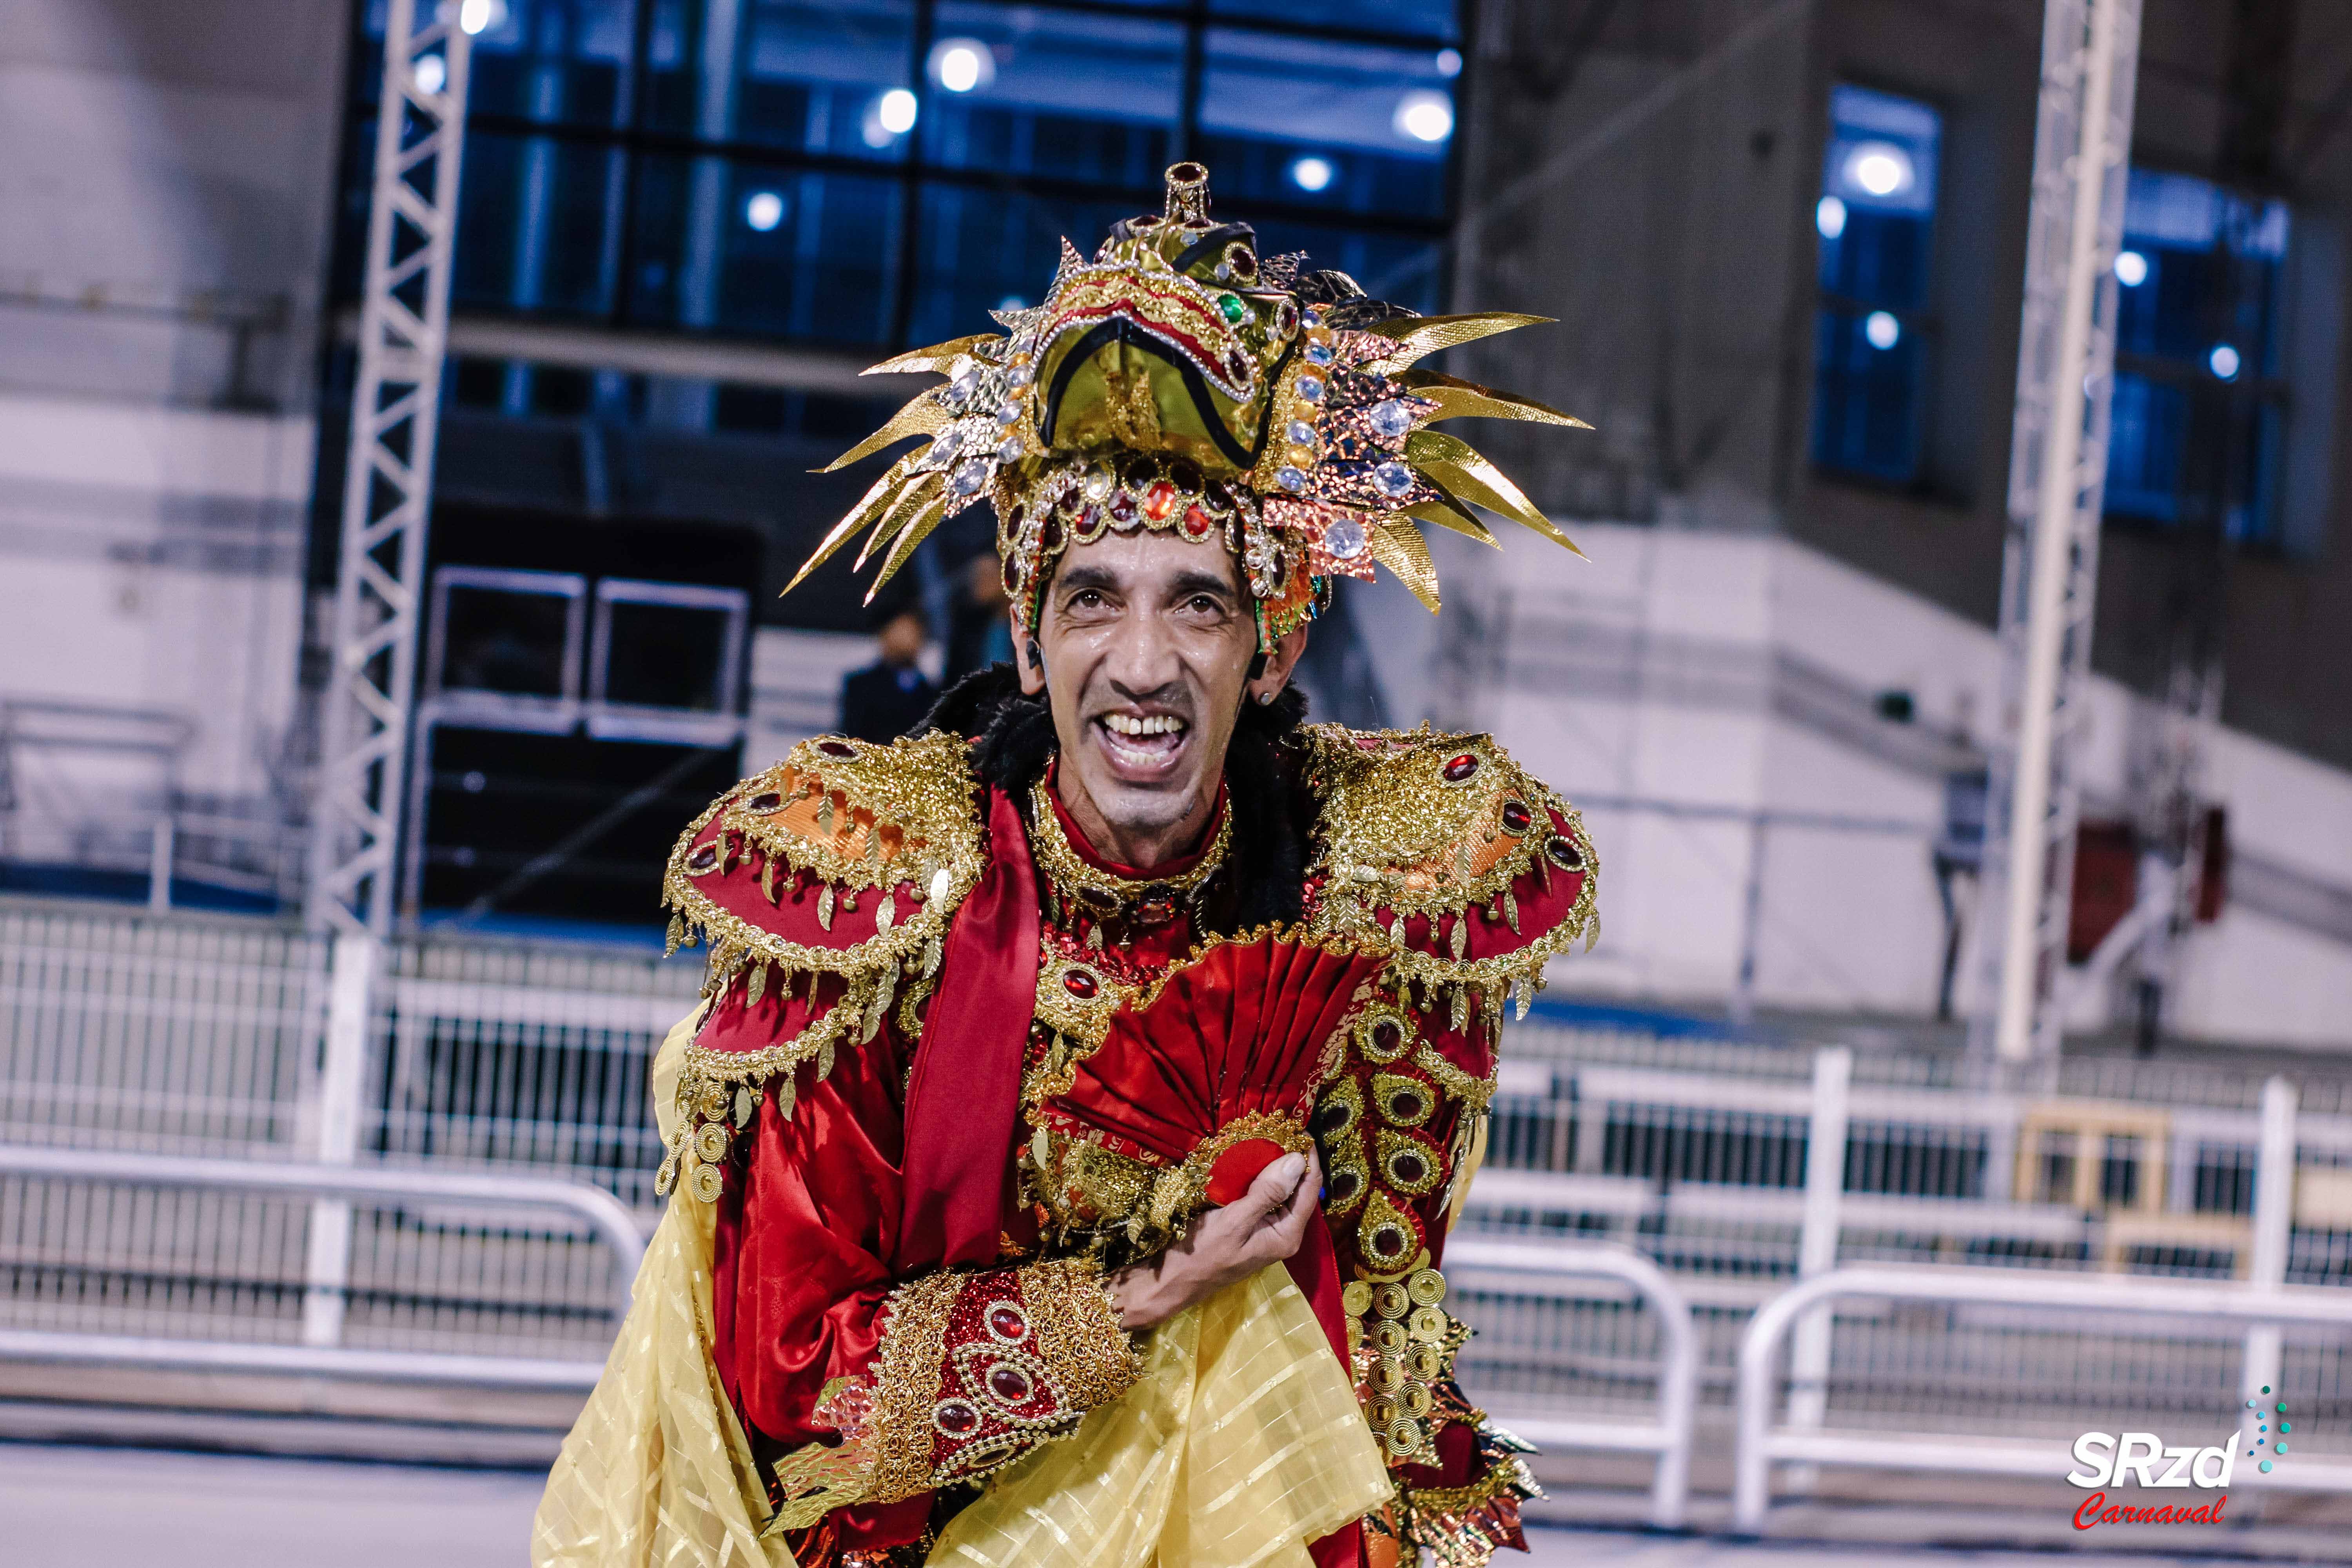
point(1476, 1264)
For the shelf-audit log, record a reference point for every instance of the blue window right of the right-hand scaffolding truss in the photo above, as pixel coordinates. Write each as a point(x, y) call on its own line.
point(2200, 401)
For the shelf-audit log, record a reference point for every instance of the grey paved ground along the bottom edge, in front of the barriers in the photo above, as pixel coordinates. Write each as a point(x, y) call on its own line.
point(95, 1508)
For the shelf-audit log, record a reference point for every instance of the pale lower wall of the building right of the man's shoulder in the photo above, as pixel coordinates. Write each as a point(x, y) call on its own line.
point(1711, 702)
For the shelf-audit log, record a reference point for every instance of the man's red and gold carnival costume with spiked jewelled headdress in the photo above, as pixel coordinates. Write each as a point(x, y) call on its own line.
point(954, 1066)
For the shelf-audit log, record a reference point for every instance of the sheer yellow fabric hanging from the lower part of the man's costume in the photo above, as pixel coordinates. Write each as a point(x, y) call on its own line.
point(1241, 1442)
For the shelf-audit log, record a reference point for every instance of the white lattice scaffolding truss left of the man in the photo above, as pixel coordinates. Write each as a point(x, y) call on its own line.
point(389, 476)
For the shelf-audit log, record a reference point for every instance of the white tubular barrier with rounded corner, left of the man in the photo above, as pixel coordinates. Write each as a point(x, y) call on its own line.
point(582, 1202)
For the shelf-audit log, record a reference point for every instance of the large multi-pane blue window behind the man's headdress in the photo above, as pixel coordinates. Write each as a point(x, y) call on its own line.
point(888, 173)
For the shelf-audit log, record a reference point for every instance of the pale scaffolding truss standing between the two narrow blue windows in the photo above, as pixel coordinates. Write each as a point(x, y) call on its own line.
point(2057, 490)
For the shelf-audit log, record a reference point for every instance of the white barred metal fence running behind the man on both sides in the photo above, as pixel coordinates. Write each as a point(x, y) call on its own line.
point(1732, 1170)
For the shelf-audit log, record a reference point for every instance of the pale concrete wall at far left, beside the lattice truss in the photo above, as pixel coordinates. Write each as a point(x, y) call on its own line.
point(168, 194)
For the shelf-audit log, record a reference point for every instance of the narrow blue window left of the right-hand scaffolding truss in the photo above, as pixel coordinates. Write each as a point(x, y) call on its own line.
point(1873, 330)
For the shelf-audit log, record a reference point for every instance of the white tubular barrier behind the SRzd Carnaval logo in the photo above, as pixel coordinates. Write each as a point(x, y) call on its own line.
point(2050, 1459)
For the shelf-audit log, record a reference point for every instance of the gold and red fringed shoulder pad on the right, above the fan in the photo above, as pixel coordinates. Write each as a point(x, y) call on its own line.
point(1466, 864)
